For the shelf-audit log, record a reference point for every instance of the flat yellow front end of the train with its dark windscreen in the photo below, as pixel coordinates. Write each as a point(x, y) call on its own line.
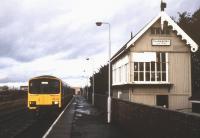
point(44, 92)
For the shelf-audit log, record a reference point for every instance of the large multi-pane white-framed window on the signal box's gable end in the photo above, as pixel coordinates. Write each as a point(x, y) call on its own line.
point(150, 67)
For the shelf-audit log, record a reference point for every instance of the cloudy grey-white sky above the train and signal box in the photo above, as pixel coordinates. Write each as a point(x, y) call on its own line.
point(48, 37)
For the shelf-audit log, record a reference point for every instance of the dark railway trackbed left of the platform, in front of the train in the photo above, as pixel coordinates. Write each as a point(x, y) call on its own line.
point(16, 121)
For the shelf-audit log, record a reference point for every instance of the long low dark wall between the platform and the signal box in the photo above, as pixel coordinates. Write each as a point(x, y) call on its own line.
point(143, 121)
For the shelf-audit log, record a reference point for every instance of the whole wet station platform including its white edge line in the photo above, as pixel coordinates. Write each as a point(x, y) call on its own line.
point(82, 120)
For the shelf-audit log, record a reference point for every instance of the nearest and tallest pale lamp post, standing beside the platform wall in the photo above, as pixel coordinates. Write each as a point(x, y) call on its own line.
point(109, 53)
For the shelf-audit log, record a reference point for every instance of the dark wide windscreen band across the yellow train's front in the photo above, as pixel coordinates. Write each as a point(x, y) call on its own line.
point(44, 86)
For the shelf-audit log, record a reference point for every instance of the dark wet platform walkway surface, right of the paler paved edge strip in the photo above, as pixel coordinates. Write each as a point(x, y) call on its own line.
point(89, 122)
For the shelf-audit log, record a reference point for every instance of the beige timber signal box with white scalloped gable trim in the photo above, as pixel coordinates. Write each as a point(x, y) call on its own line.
point(154, 66)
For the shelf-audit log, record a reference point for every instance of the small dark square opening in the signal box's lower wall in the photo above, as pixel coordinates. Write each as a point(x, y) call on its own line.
point(162, 100)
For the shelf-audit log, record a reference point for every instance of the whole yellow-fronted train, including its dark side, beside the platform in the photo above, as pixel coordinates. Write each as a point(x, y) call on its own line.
point(48, 91)
